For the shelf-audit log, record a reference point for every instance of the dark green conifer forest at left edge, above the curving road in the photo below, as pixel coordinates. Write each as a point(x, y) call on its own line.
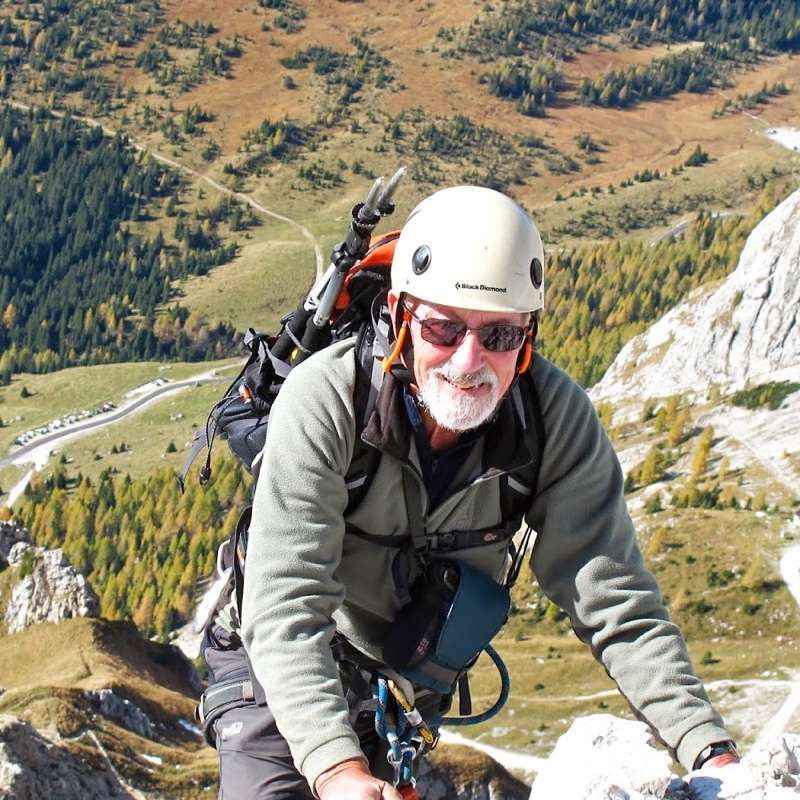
point(77, 286)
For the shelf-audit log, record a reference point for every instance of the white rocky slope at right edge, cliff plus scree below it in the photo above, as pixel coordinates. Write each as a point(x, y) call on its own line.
point(738, 341)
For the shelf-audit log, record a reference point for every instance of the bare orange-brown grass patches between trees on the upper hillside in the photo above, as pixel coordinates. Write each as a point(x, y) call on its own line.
point(656, 135)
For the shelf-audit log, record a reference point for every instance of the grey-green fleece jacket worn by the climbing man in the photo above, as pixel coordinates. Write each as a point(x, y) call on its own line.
point(307, 578)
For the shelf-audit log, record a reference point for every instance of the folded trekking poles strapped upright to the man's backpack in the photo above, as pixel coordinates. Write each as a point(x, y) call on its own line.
point(305, 330)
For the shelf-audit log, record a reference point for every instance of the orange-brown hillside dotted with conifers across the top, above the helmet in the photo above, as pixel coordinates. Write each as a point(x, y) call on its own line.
point(281, 97)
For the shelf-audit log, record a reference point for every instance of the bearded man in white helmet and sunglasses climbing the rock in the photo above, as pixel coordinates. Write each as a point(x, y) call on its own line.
point(327, 587)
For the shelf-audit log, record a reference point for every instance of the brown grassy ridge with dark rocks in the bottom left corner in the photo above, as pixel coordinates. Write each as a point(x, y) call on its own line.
point(110, 705)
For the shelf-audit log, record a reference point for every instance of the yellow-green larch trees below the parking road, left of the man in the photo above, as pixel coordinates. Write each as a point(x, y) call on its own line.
point(143, 545)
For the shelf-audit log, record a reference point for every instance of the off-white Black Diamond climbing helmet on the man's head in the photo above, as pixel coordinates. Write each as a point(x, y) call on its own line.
point(471, 247)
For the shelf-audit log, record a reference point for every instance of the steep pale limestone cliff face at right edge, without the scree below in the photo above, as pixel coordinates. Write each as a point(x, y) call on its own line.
point(746, 330)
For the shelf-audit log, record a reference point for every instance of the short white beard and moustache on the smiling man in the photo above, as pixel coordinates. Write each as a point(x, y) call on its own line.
point(462, 413)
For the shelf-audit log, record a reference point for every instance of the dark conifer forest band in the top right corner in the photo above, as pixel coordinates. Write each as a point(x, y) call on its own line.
point(529, 39)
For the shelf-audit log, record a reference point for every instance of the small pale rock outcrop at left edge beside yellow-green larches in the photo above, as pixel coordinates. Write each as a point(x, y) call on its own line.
point(50, 589)
